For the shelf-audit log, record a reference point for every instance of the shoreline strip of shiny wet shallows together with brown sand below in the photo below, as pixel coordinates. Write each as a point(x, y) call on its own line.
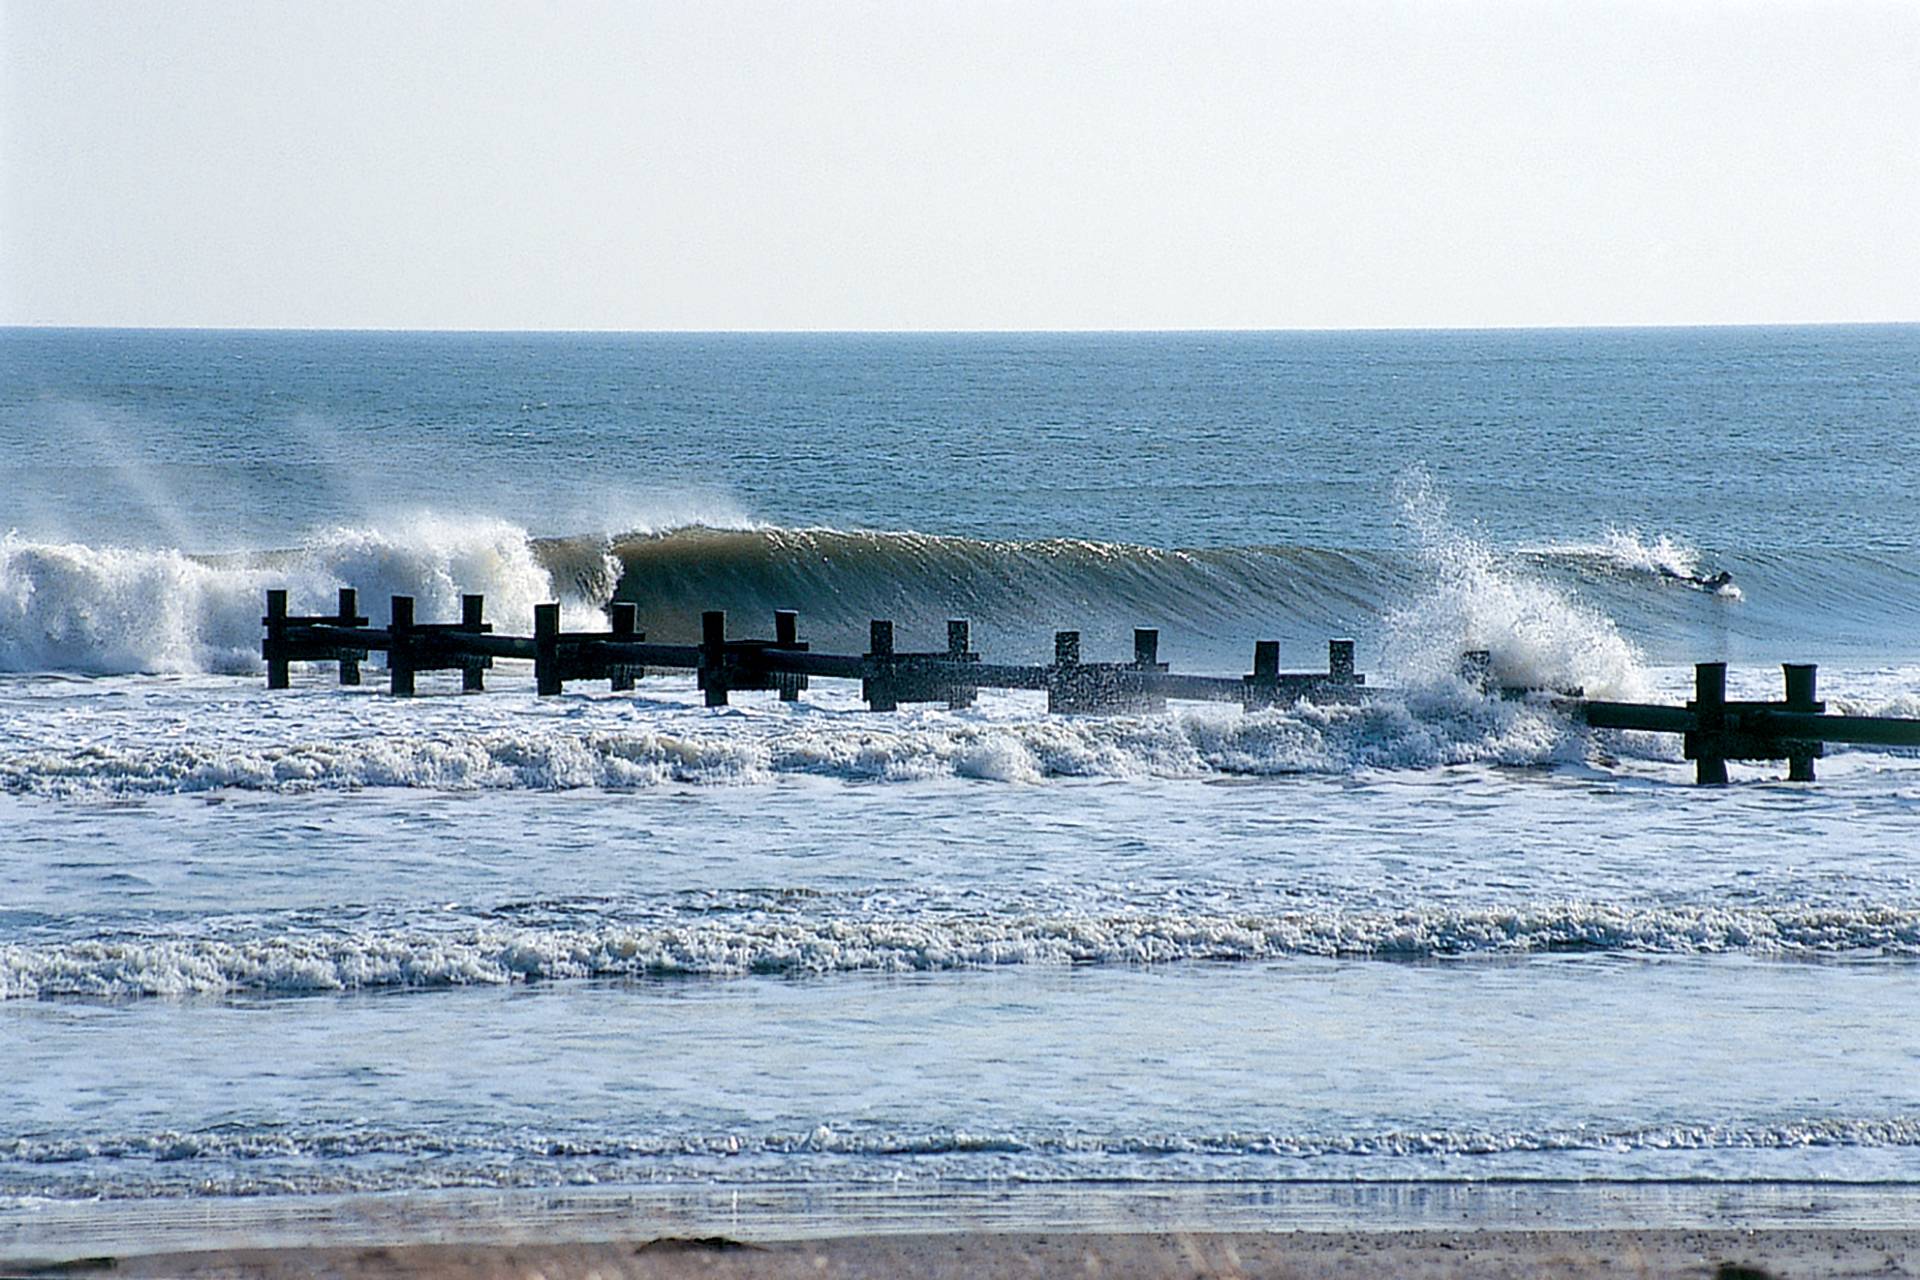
point(1143, 1229)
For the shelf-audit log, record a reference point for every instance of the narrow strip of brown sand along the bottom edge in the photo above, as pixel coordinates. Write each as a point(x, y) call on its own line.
point(1289, 1256)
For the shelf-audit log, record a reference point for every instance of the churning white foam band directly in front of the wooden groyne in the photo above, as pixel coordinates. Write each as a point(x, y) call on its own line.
point(341, 742)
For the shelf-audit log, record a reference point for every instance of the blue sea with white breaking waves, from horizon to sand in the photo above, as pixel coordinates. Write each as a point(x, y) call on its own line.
point(327, 943)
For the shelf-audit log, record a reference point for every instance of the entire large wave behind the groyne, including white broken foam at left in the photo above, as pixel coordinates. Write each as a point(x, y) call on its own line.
point(1552, 615)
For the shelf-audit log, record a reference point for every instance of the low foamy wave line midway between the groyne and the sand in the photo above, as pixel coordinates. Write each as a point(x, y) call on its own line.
point(708, 947)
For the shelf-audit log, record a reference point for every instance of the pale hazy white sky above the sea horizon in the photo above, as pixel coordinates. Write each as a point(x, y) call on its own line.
point(951, 166)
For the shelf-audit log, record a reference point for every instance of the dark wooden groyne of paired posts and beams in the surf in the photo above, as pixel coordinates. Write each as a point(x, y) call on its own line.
point(1714, 728)
